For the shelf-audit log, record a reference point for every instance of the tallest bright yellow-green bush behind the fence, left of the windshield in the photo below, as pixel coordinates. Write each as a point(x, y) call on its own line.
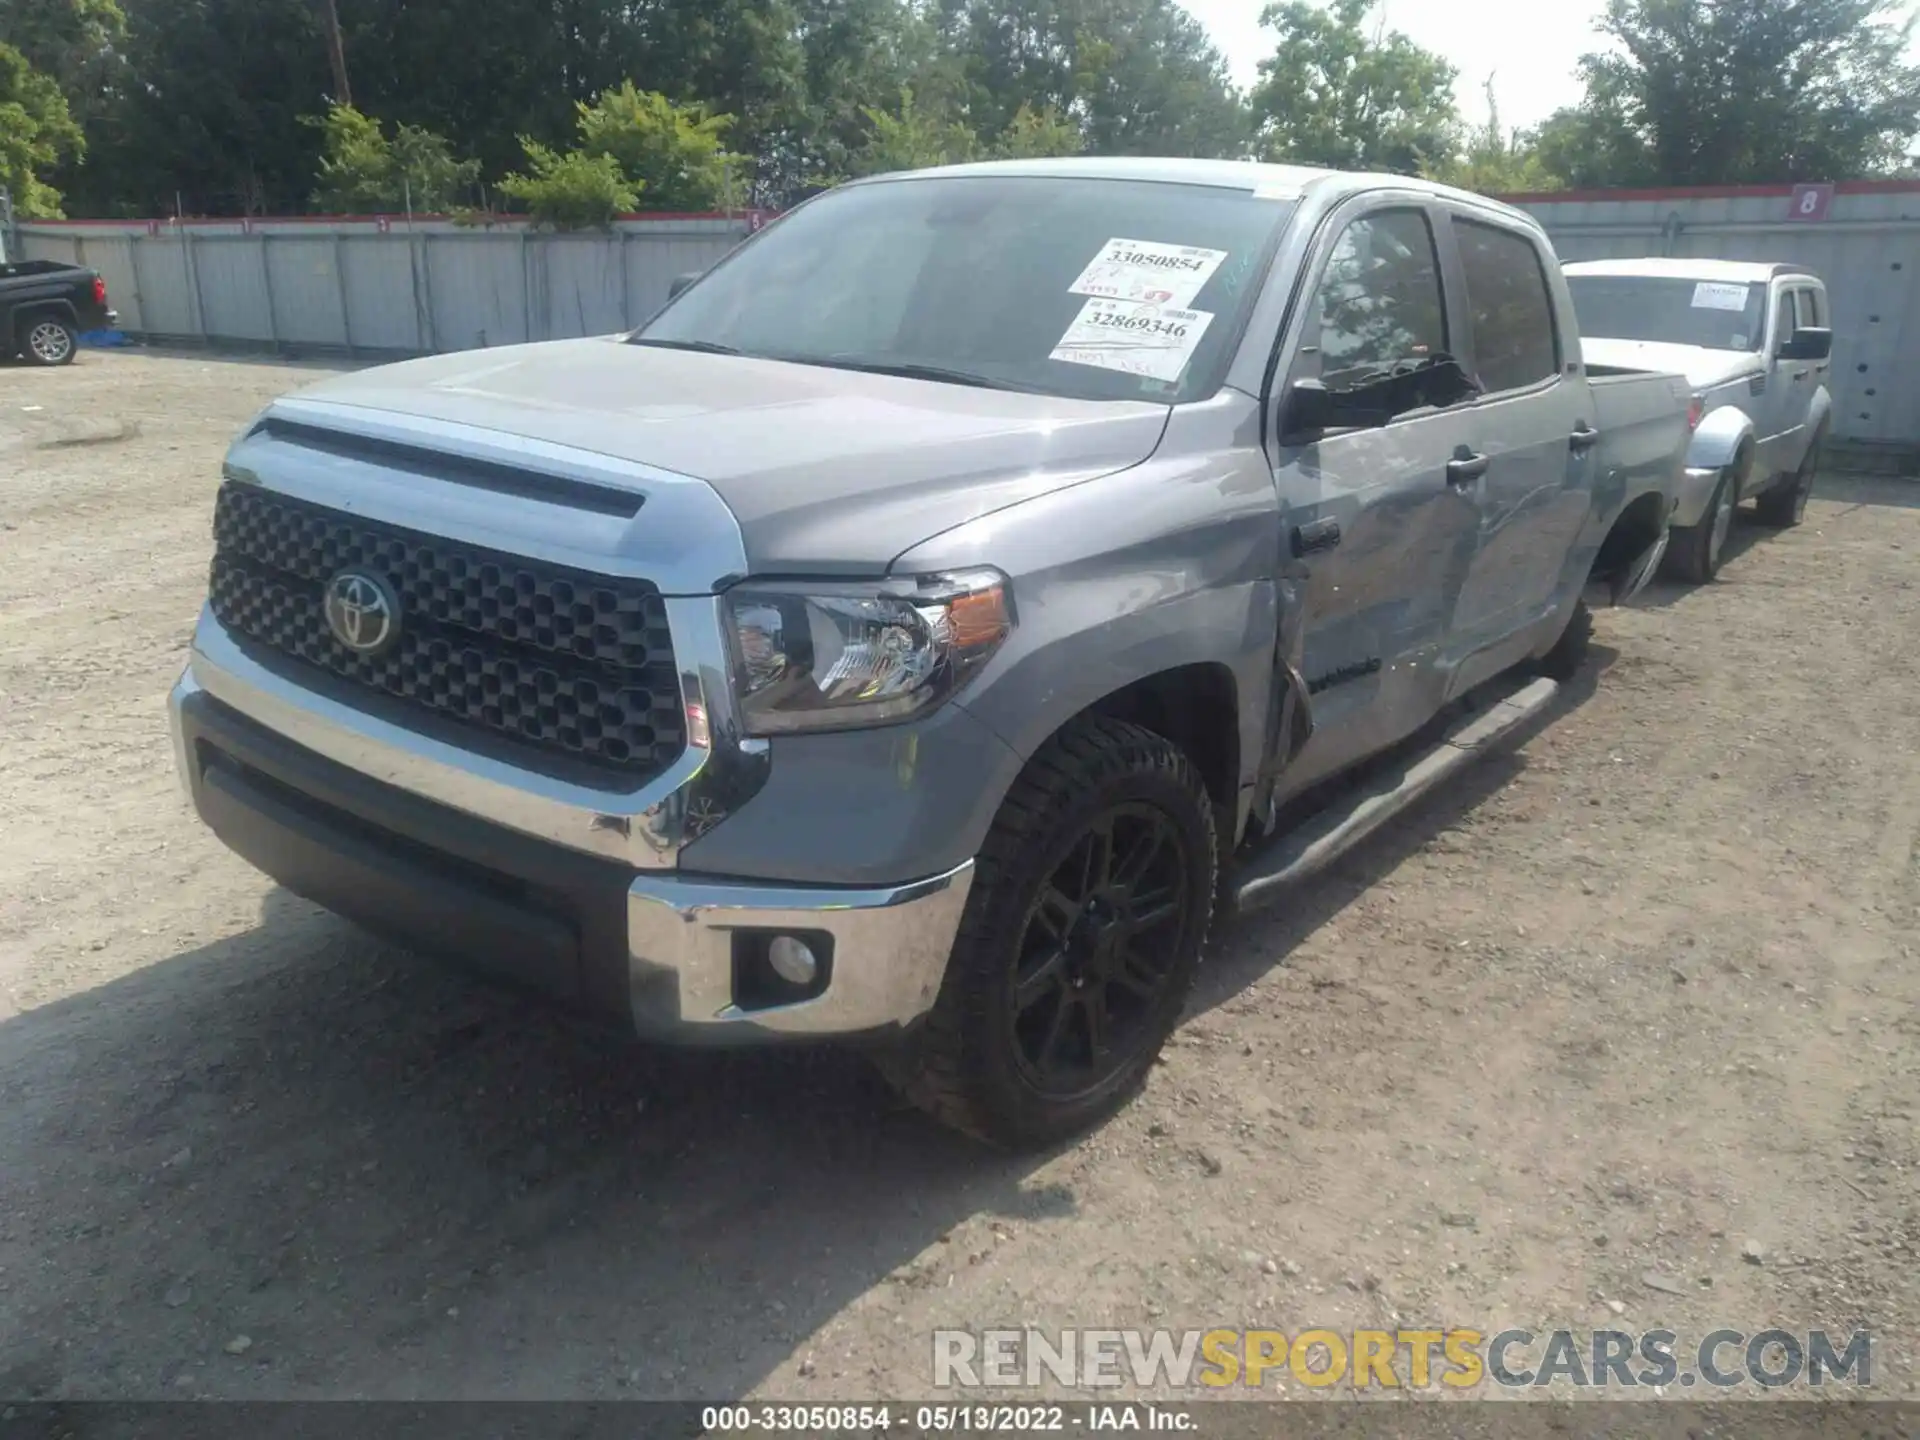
point(675, 155)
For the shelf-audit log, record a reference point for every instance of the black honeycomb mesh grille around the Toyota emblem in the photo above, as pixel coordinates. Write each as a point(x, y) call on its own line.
point(560, 661)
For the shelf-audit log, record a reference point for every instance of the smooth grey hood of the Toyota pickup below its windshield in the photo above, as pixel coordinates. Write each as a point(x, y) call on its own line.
point(827, 471)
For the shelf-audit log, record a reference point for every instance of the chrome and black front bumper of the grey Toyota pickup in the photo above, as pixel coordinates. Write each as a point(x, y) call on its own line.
point(675, 976)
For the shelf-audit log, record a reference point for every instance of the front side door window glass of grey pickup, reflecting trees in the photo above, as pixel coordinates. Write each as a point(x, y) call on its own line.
point(1378, 302)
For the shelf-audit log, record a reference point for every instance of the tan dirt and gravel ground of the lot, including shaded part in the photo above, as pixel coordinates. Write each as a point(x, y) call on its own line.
point(1623, 1003)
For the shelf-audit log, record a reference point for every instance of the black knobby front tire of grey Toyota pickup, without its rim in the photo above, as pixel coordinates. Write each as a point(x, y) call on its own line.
point(961, 1065)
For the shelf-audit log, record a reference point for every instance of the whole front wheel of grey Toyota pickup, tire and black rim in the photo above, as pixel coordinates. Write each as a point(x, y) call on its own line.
point(1080, 942)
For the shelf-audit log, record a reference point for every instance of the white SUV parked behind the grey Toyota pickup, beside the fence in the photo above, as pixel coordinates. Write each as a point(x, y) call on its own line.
point(1756, 343)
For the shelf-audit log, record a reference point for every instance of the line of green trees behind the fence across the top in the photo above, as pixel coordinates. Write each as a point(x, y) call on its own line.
point(199, 103)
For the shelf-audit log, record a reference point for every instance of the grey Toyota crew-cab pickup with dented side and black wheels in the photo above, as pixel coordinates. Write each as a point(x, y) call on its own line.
point(923, 621)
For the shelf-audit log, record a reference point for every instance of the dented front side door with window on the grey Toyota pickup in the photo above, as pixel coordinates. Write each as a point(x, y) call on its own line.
point(1378, 533)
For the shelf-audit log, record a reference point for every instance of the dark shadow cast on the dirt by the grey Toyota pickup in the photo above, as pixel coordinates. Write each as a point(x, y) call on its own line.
point(400, 1184)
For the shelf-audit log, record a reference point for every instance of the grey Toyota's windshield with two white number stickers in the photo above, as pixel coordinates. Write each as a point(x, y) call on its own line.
point(1068, 287)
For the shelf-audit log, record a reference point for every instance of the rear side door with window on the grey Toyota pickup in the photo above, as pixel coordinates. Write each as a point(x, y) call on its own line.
point(1533, 429)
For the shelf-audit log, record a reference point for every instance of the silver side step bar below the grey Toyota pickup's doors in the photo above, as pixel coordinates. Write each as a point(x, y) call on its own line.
point(1333, 832)
